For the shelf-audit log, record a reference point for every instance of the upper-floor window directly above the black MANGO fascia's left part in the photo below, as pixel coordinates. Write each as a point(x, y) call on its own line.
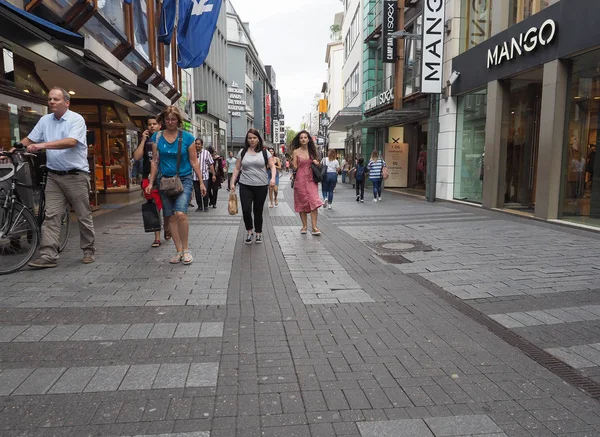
point(477, 25)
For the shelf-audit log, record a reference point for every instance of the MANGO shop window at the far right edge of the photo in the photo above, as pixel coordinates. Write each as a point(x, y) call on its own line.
point(581, 184)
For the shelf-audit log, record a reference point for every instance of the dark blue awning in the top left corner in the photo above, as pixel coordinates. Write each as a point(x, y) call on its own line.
point(14, 20)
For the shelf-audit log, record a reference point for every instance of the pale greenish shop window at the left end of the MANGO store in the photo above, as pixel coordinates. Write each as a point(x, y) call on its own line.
point(470, 144)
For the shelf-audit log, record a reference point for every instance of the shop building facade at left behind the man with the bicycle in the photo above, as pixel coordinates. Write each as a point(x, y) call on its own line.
point(107, 55)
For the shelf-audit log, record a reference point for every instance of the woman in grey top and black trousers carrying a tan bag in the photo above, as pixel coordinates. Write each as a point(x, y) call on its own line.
point(251, 165)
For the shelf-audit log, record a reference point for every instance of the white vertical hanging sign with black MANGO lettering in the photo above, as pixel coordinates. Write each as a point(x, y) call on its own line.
point(433, 46)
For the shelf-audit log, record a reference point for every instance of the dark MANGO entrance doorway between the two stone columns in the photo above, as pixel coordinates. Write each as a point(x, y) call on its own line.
point(522, 126)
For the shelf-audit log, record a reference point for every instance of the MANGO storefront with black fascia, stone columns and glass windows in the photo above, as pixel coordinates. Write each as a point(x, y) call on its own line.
point(527, 115)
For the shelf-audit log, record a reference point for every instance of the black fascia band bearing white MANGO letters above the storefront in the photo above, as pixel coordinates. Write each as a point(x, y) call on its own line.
point(559, 31)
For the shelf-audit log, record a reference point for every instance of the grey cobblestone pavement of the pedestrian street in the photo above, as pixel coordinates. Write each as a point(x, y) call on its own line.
point(353, 333)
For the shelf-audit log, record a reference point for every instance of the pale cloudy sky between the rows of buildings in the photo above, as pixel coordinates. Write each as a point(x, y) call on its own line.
point(292, 36)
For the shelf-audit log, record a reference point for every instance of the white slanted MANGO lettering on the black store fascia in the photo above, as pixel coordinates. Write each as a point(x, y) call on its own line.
point(524, 43)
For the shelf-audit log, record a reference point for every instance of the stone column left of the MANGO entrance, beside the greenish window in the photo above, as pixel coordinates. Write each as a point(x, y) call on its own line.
point(495, 148)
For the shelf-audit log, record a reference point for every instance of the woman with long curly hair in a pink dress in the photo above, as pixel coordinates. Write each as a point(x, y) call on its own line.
point(306, 193)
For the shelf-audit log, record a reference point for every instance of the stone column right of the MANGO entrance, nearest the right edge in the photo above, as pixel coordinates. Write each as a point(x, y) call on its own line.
point(551, 139)
